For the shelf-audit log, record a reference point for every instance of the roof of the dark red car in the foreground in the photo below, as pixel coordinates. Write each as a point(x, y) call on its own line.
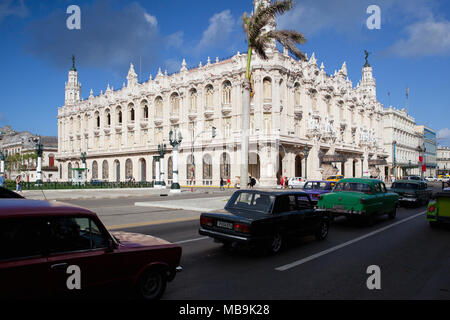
point(25, 207)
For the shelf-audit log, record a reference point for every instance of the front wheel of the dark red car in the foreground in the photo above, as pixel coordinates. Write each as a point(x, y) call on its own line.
point(151, 285)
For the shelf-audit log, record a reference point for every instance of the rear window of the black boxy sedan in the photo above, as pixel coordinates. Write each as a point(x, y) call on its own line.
point(252, 201)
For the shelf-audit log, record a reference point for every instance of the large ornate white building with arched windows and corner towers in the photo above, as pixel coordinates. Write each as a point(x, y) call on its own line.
point(295, 105)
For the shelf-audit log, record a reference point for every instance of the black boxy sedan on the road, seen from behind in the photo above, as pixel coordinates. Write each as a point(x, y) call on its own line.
point(267, 219)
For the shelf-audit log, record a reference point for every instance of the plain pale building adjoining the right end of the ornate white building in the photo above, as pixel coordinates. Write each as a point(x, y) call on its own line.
point(401, 141)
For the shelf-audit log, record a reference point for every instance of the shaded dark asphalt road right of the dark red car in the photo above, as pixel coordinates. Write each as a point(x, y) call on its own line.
point(414, 262)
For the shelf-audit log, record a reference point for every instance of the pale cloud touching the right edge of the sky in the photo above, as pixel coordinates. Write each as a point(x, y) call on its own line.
point(425, 38)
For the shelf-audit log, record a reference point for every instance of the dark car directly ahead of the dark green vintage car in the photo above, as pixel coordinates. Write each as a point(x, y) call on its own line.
point(412, 191)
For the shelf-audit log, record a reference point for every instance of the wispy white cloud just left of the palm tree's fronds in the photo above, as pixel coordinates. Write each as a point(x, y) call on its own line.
point(220, 27)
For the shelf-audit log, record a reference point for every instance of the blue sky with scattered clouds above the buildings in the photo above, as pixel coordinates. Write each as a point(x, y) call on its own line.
point(412, 48)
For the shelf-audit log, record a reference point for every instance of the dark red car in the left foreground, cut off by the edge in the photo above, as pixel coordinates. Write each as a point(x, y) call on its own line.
point(52, 249)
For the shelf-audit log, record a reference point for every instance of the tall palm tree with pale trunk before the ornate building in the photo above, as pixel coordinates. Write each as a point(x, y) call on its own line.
point(259, 40)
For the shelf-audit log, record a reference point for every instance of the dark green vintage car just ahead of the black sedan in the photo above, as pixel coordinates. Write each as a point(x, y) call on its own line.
point(361, 198)
